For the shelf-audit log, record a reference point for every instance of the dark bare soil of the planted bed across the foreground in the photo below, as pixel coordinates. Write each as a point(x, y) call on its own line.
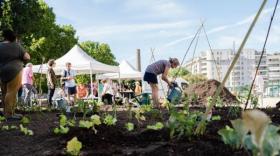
point(116, 140)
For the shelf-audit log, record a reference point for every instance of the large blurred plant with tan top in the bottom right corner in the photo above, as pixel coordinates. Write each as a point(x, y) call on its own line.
point(263, 138)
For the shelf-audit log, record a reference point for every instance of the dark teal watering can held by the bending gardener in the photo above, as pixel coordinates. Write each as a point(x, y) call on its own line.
point(174, 93)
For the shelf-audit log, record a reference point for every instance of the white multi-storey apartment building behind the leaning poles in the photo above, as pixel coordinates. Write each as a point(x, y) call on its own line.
point(215, 65)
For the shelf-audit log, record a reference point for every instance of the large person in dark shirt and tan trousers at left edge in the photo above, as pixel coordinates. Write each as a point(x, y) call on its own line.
point(11, 65)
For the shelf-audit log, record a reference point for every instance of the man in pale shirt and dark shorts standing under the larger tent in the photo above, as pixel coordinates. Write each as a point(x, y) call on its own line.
point(68, 77)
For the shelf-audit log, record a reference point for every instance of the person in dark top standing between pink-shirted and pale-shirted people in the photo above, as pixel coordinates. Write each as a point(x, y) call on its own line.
point(51, 80)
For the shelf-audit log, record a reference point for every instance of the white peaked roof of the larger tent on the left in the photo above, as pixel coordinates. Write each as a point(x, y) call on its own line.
point(81, 62)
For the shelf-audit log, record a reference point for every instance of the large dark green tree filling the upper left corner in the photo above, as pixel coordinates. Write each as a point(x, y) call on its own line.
point(34, 23)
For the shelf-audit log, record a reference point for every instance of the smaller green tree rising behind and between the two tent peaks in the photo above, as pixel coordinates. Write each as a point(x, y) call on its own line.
point(100, 52)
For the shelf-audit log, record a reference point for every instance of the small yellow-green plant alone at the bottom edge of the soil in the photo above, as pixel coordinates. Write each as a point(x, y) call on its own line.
point(73, 147)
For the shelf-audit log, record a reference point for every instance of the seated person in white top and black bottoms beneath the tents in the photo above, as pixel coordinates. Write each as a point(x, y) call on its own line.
point(108, 92)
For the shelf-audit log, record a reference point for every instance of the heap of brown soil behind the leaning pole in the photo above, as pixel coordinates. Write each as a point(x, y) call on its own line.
point(208, 88)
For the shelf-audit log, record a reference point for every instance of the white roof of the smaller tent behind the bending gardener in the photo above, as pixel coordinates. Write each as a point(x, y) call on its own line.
point(127, 71)
